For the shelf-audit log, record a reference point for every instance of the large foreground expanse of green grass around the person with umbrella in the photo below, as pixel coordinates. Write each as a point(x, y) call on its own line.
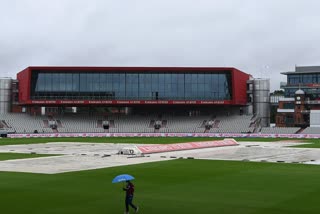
point(176, 186)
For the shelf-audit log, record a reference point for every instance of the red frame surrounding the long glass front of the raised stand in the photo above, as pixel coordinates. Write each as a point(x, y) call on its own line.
point(238, 79)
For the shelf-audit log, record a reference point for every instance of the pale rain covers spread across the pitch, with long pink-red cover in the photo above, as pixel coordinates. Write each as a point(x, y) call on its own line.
point(73, 156)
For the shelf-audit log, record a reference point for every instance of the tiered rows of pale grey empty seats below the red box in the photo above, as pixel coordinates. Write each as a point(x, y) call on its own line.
point(120, 123)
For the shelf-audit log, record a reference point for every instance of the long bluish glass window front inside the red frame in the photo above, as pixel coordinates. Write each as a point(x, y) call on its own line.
point(131, 86)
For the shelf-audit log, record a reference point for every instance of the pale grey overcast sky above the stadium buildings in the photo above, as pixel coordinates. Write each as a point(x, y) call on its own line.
point(260, 37)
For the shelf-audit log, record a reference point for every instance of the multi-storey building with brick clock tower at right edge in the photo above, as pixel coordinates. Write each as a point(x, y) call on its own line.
point(301, 105)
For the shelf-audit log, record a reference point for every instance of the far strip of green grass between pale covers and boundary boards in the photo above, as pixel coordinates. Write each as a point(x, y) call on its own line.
point(314, 143)
